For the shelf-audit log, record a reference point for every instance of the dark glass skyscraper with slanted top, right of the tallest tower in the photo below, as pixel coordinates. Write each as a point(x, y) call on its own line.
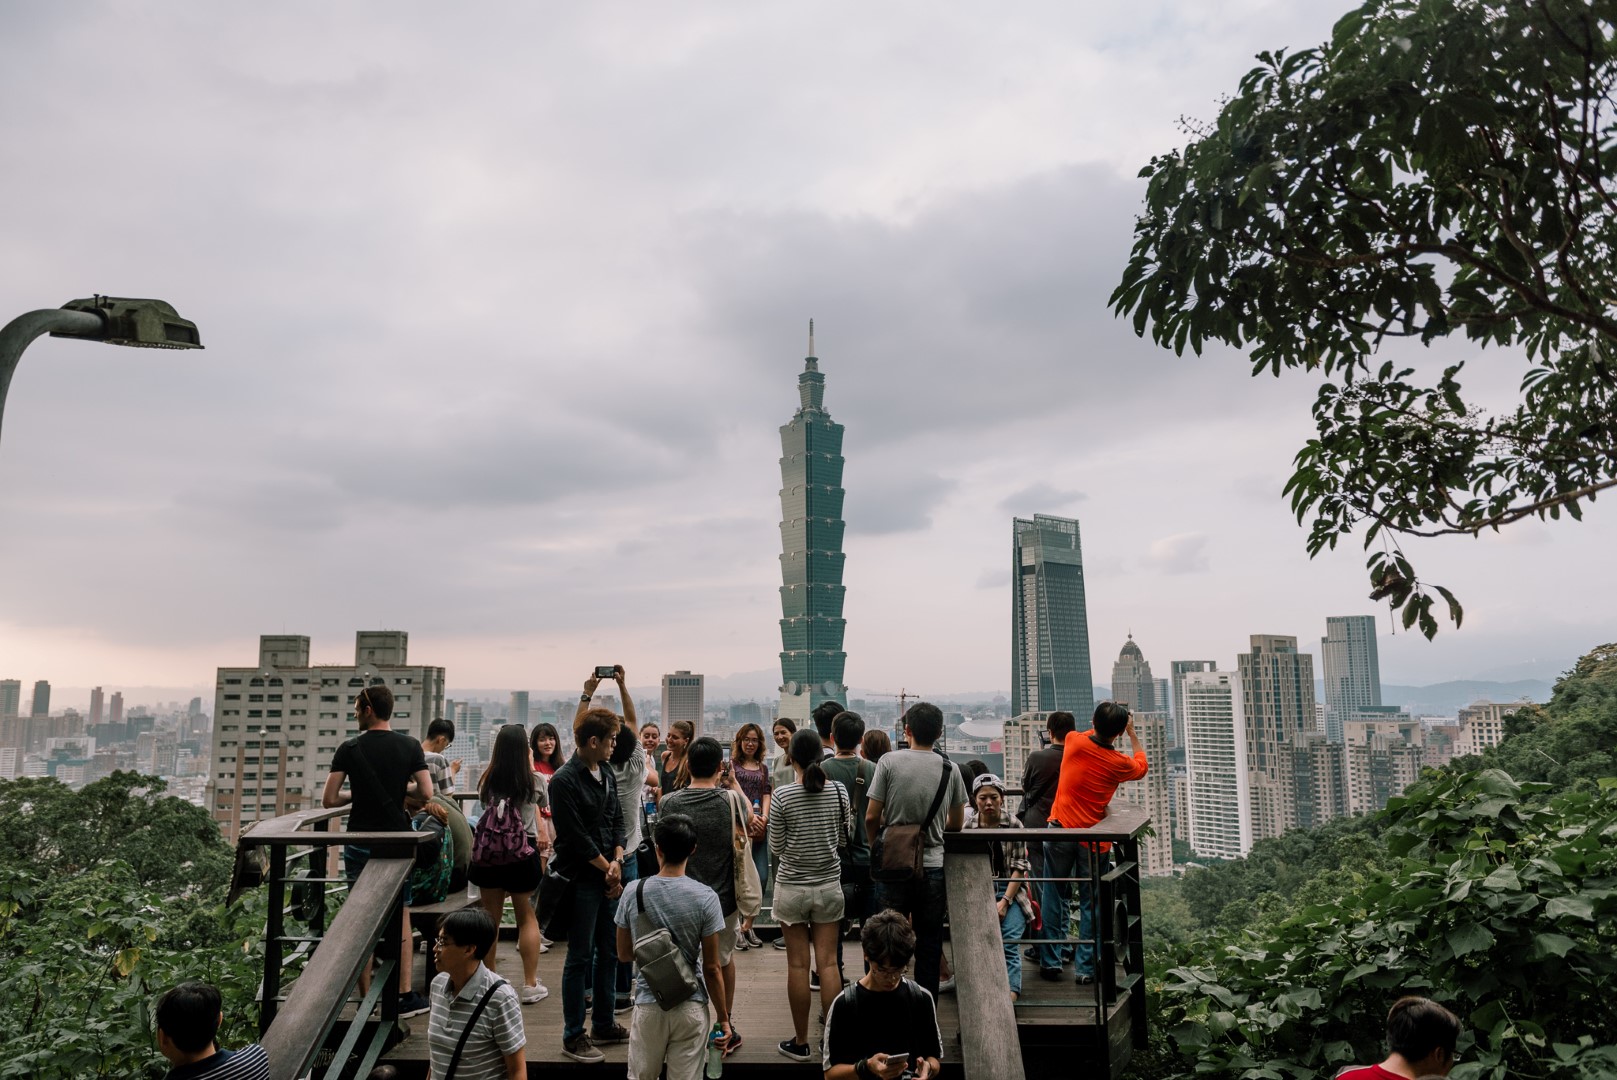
point(1050, 625)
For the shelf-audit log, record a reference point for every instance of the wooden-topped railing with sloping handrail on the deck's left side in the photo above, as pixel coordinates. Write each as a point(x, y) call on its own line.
point(300, 1026)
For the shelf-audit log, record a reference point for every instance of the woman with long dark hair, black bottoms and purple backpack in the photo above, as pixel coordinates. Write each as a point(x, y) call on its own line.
point(512, 787)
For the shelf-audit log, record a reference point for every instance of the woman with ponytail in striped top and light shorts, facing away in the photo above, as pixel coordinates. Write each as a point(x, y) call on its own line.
point(809, 824)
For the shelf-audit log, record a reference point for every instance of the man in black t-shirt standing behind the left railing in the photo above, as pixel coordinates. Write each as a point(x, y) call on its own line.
point(379, 766)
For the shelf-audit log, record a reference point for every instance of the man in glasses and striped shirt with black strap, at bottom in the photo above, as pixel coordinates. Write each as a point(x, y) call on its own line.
point(465, 995)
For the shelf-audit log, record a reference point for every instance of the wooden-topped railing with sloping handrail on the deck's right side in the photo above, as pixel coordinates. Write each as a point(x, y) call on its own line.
point(1117, 1015)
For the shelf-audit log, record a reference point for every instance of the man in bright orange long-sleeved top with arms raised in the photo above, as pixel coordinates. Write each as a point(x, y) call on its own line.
point(1091, 772)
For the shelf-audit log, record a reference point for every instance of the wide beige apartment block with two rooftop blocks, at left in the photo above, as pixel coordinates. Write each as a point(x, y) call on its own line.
point(279, 724)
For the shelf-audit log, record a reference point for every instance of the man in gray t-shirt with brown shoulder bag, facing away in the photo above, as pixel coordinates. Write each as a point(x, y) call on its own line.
point(901, 793)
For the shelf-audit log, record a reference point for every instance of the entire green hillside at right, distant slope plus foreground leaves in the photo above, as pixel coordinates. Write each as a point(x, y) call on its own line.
point(1490, 890)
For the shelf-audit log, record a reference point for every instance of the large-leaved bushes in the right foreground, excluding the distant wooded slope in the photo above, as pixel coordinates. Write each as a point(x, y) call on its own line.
point(1503, 908)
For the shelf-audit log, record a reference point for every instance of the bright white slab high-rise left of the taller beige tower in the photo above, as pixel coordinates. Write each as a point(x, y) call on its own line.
point(1218, 799)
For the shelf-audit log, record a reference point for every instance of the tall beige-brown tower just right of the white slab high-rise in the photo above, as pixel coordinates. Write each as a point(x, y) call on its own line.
point(1277, 686)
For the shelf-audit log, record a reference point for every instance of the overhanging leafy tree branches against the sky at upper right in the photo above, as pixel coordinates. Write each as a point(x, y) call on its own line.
point(1440, 167)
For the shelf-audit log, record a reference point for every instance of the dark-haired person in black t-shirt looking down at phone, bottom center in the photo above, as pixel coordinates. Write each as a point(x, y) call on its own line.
point(884, 1024)
